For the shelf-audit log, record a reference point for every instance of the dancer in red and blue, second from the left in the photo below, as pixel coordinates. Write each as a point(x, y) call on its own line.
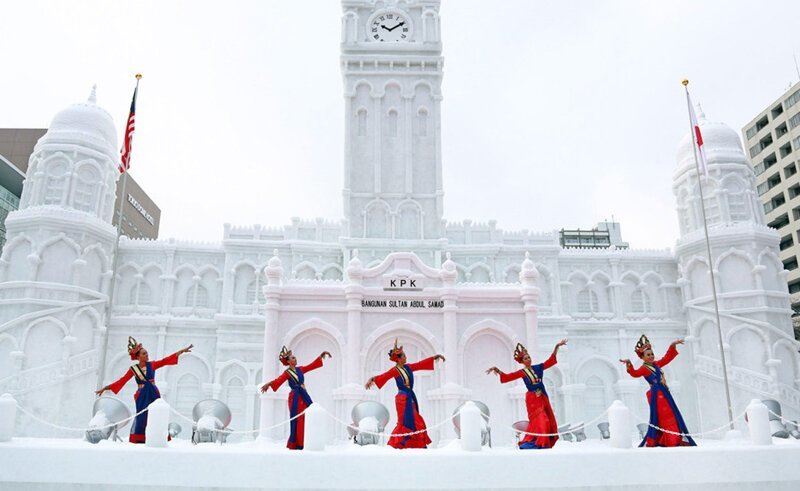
point(299, 399)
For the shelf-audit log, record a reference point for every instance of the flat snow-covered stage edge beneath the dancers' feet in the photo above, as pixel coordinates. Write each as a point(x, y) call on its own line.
point(69, 464)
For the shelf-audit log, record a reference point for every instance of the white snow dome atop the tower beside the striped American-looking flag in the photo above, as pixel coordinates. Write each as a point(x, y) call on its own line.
point(88, 119)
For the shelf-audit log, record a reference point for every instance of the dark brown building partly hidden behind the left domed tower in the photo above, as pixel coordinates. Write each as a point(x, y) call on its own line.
point(141, 216)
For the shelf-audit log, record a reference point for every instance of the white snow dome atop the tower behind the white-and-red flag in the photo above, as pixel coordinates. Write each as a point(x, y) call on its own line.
point(721, 145)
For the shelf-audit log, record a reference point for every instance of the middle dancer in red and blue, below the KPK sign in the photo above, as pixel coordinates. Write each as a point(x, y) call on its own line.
point(408, 418)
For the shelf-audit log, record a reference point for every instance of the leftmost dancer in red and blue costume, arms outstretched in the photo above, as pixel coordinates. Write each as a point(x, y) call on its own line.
point(145, 373)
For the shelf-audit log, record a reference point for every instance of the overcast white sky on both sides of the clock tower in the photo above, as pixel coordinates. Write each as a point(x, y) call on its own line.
point(555, 114)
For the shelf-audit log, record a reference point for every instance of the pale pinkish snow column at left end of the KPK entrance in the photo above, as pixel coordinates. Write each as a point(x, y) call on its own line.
point(272, 294)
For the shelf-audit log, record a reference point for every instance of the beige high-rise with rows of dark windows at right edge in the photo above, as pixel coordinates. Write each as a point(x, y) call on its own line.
point(772, 140)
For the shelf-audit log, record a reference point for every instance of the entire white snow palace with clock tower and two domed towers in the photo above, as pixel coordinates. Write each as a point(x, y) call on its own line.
point(392, 268)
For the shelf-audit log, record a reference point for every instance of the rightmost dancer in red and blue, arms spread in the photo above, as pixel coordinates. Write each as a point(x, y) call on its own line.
point(663, 410)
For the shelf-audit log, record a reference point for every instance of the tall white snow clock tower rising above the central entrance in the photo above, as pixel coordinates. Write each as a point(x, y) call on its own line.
point(392, 70)
